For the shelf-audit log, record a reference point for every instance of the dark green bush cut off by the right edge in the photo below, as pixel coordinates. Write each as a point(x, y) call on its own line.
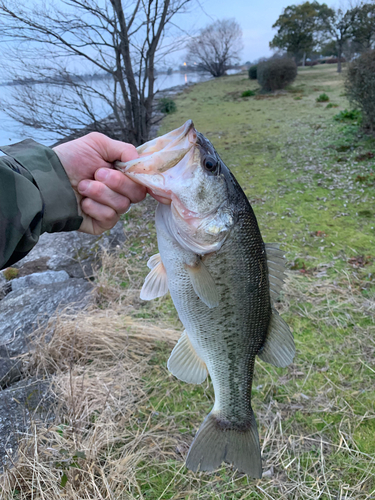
point(360, 87)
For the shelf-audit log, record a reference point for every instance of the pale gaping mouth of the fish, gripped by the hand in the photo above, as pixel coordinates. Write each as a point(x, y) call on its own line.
point(163, 160)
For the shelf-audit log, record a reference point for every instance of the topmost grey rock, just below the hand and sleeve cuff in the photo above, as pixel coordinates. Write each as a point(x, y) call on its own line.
point(74, 252)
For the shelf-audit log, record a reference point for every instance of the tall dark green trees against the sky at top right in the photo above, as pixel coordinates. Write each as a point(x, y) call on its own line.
point(312, 31)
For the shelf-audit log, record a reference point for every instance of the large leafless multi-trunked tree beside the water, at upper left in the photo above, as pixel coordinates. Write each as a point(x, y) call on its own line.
point(86, 59)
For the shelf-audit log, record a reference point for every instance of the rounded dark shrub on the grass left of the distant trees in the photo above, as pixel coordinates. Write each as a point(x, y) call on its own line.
point(276, 74)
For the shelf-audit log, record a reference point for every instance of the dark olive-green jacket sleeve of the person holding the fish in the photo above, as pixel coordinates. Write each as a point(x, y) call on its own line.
point(35, 197)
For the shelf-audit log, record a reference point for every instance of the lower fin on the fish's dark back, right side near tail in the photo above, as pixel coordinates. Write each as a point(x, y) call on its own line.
point(278, 349)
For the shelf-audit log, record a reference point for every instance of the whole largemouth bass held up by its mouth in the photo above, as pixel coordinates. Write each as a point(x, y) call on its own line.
point(223, 280)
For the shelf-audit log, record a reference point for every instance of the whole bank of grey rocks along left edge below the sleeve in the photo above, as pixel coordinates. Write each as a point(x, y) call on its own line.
point(56, 275)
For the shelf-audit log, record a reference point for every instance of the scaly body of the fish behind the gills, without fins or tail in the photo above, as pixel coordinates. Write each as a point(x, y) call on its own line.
point(237, 329)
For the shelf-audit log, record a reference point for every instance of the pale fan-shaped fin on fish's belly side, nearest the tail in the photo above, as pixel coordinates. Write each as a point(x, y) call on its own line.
point(185, 364)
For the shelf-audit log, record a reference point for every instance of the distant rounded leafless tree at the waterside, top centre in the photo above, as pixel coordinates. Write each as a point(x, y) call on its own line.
point(217, 46)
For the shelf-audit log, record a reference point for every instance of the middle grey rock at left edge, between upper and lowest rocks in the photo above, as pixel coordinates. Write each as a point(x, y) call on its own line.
point(23, 310)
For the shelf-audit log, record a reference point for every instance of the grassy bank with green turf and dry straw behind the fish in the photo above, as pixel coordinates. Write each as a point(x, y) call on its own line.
point(124, 424)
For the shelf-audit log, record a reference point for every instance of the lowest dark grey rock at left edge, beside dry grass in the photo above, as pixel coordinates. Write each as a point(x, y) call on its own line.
point(25, 402)
